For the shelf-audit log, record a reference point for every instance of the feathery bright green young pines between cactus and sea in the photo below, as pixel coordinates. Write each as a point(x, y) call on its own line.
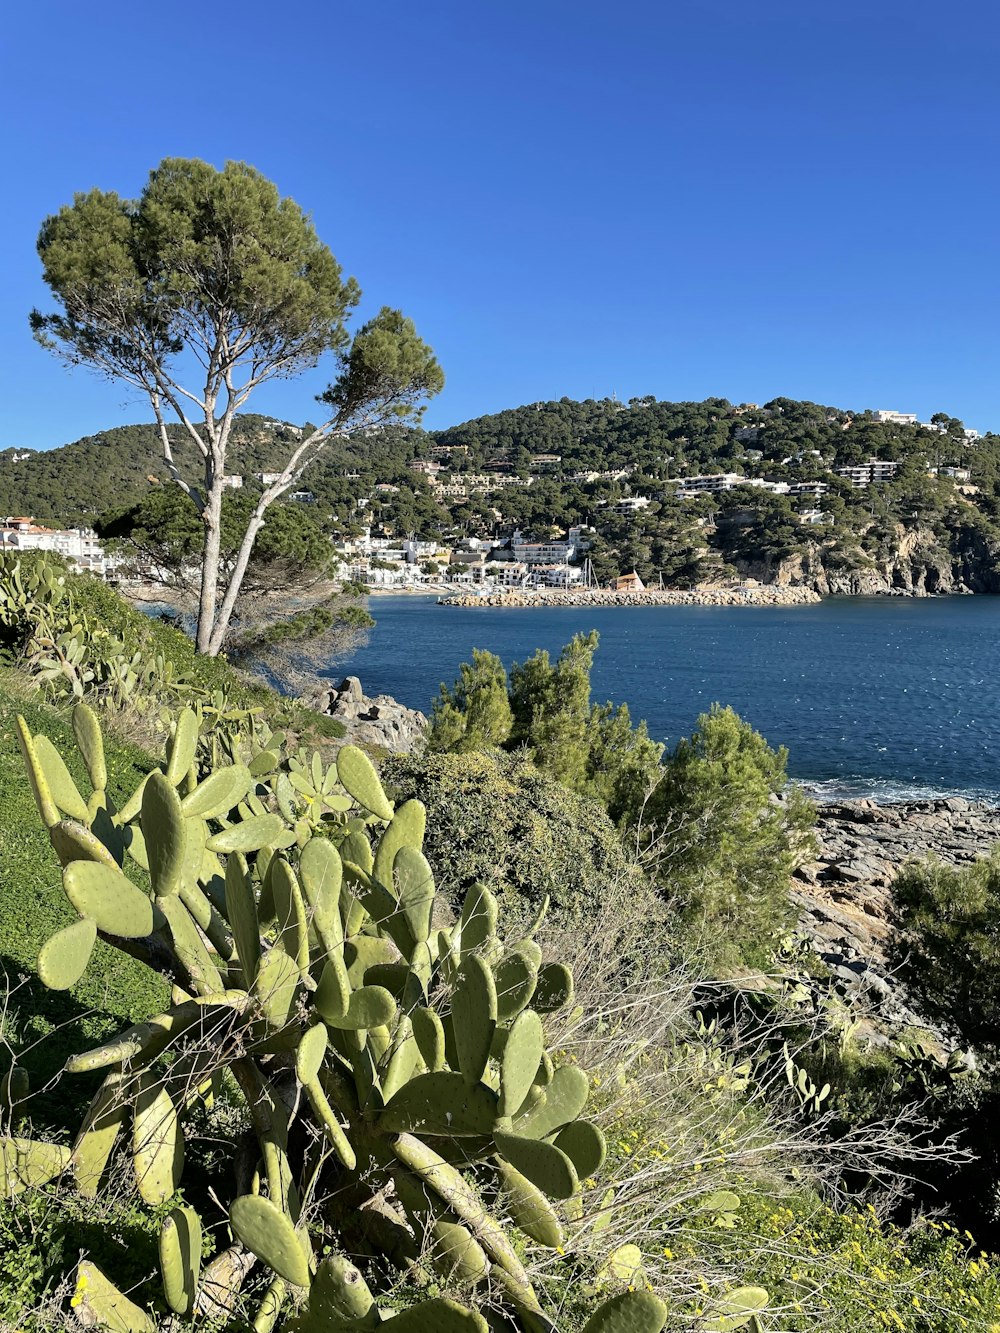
point(721, 826)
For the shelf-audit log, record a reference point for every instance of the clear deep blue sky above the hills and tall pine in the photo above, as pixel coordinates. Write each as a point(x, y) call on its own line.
point(682, 198)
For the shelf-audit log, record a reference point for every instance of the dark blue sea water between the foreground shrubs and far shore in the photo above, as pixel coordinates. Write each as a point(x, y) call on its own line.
point(883, 698)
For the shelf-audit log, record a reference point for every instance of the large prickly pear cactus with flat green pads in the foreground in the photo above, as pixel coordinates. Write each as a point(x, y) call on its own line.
point(315, 970)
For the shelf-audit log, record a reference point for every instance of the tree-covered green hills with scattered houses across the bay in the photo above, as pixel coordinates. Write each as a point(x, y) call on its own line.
point(933, 525)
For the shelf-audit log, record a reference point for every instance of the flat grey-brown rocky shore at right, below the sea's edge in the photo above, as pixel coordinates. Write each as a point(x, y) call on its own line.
point(845, 895)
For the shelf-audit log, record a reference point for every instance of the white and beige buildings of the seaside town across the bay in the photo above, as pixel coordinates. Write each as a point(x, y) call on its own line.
point(510, 566)
